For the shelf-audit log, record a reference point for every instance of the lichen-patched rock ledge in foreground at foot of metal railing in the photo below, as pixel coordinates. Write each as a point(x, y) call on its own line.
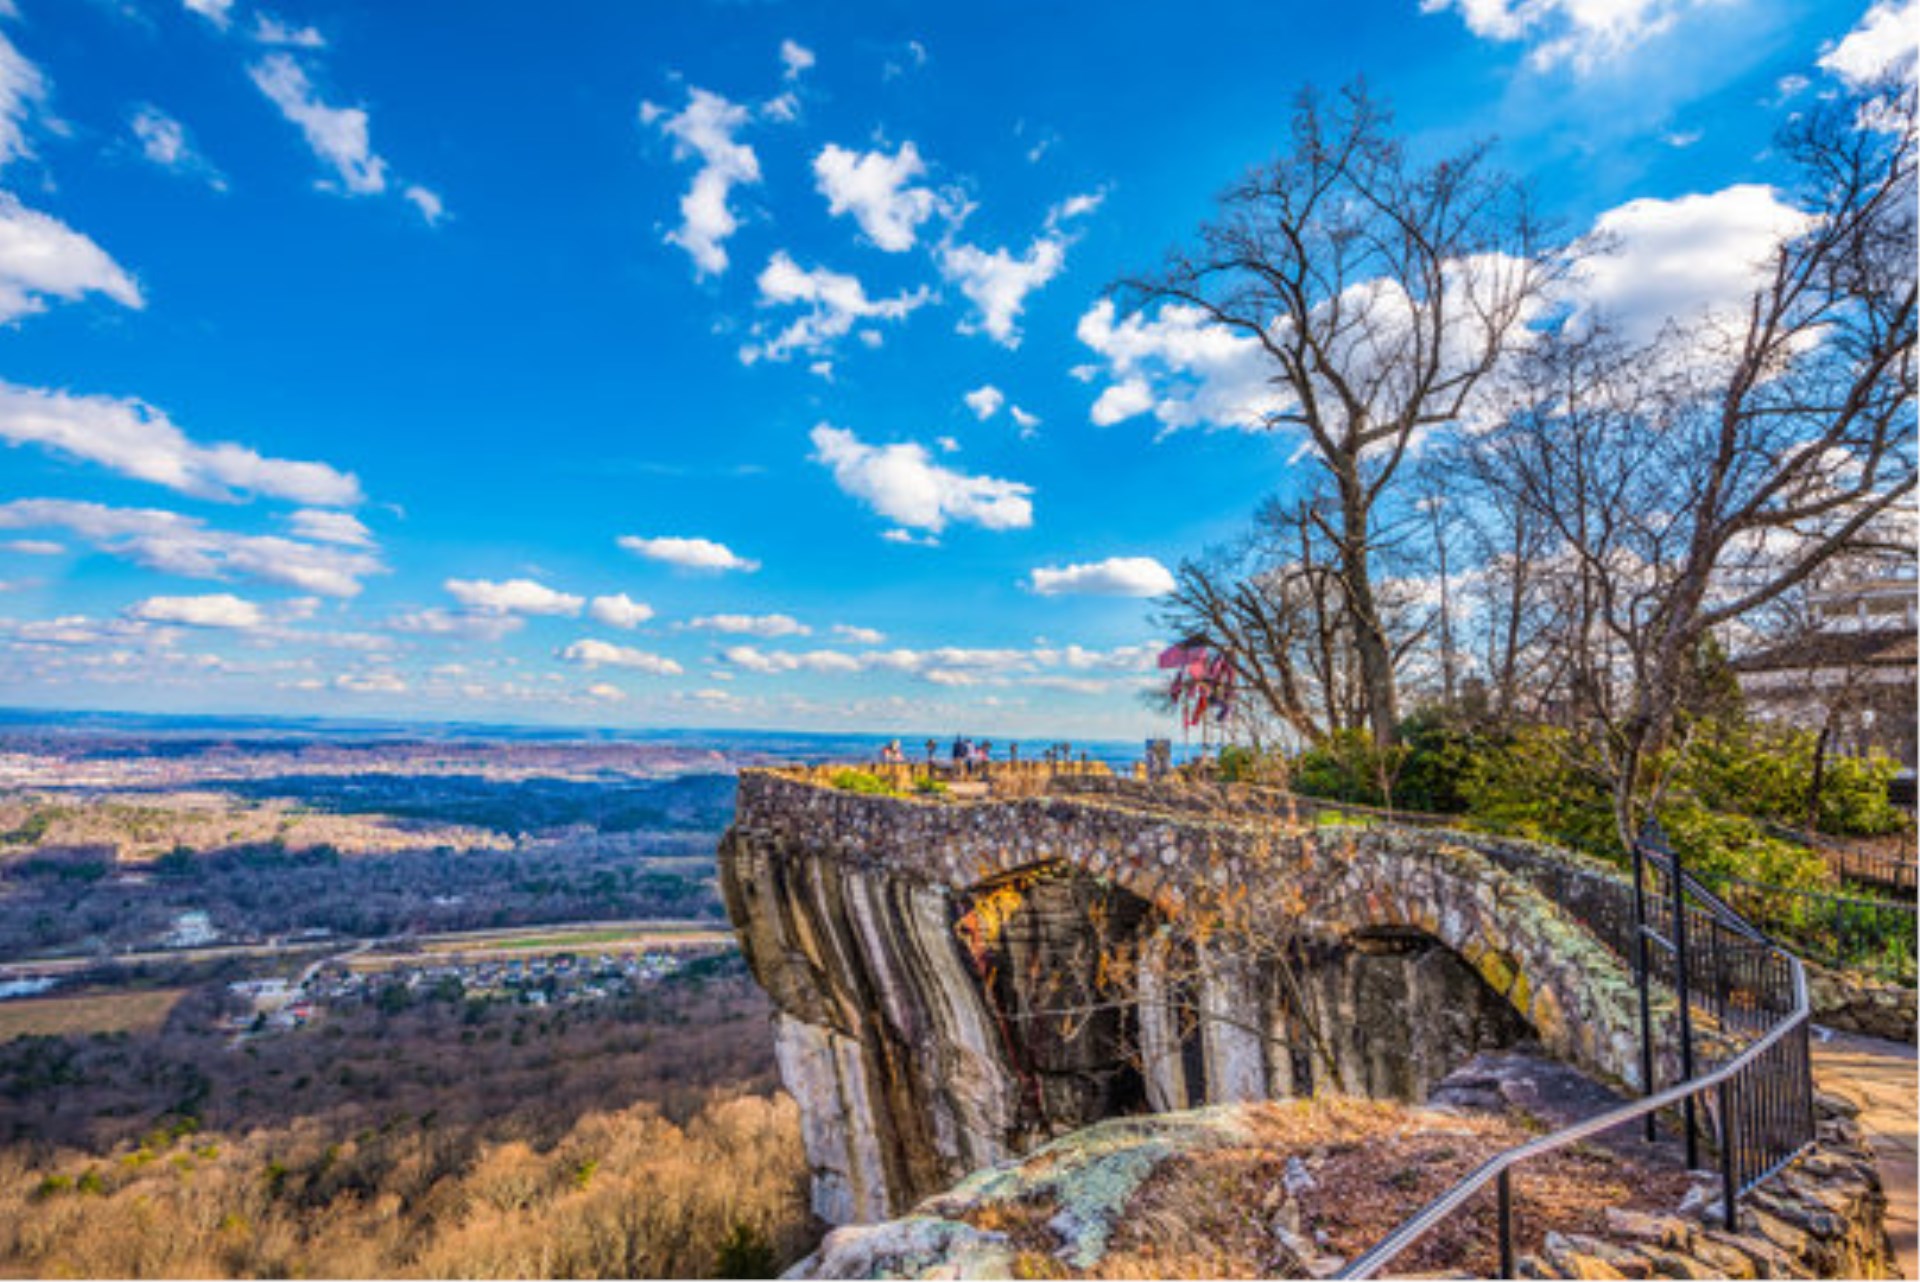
point(1107, 1202)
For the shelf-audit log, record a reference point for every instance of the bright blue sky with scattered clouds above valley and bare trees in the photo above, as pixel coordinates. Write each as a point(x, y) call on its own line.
point(723, 364)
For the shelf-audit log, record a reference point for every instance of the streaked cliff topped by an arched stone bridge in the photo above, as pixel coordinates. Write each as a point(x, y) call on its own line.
point(959, 982)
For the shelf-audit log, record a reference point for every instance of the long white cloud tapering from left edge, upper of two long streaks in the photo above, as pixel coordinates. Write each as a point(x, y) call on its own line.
point(139, 440)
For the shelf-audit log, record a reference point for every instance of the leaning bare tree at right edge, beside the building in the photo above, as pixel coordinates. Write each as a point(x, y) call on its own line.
point(1694, 483)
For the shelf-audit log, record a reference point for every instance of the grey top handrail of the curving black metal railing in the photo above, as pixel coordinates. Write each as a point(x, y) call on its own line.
point(1500, 1166)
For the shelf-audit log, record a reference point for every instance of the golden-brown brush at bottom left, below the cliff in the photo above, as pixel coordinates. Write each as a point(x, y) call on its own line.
point(623, 1195)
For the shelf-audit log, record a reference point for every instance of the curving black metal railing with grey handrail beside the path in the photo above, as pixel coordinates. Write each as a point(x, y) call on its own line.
point(1737, 1043)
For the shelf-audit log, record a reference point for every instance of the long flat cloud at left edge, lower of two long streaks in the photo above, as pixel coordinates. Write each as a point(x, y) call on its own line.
point(185, 546)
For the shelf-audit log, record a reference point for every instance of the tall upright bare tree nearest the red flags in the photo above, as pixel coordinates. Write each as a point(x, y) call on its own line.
point(1383, 293)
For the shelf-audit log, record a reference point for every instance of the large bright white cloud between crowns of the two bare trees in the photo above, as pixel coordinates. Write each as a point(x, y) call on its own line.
point(1687, 258)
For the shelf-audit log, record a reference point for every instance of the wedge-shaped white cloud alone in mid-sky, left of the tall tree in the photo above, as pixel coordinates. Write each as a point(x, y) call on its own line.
point(903, 485)
